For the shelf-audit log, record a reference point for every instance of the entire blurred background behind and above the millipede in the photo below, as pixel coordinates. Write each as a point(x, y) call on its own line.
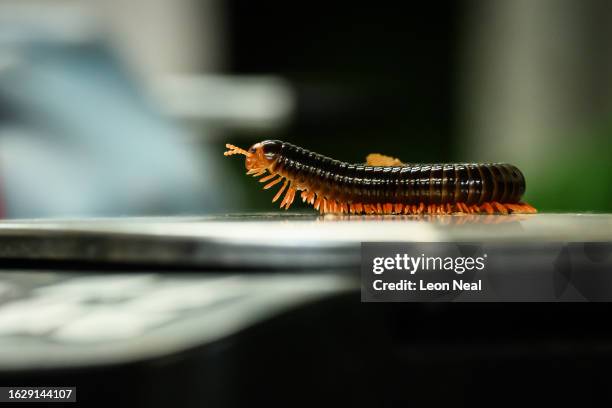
point(123, 109)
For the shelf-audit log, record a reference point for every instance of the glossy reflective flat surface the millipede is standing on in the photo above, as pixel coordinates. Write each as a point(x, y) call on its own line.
point(274, 240)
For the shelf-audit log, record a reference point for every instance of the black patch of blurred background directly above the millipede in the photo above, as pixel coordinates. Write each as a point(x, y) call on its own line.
point(359, 72)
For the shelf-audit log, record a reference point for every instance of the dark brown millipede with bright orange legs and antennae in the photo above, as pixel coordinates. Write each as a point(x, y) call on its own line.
point(384, 184)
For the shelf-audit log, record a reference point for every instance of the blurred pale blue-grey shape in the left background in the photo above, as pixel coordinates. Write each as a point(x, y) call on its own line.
point(78, 138)
